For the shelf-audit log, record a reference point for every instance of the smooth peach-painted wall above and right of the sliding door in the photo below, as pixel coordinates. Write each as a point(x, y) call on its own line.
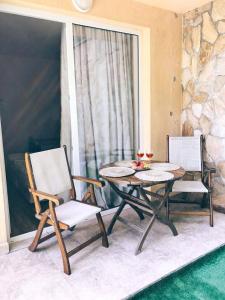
point(166, 36)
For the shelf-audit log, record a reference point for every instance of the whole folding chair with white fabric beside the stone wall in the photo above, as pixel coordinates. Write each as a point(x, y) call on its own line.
point(187, 152)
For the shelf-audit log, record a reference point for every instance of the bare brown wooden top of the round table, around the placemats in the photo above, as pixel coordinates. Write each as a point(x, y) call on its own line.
point(132, 180)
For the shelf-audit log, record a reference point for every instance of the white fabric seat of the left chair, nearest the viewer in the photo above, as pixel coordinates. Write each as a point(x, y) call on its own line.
point(72, 212)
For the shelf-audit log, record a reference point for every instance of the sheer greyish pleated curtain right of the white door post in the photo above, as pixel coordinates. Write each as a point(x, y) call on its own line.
point(107, 119)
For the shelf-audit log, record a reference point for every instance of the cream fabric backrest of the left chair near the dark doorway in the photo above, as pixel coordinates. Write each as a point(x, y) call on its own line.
point(48, 172)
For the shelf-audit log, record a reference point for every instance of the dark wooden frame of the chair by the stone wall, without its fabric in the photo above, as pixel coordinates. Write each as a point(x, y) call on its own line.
point(206, 178)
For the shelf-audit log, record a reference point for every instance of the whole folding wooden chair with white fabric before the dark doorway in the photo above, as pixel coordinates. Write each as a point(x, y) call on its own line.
point(50, 179)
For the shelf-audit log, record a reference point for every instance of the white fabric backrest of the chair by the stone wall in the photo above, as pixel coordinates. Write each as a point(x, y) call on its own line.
point(186, 152)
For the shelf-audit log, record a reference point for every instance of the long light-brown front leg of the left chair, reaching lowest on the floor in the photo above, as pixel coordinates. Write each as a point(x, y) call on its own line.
point(62, 247)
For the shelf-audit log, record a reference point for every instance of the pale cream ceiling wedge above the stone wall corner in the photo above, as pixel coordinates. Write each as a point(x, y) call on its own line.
point(178, 6)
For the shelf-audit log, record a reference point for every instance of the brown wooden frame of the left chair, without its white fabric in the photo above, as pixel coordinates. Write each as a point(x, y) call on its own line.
point(49, 215)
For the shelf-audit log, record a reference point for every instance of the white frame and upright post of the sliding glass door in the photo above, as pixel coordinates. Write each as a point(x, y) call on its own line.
point(144, 95)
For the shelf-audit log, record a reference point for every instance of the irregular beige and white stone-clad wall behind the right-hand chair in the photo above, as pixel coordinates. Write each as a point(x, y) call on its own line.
point(203, 81)
